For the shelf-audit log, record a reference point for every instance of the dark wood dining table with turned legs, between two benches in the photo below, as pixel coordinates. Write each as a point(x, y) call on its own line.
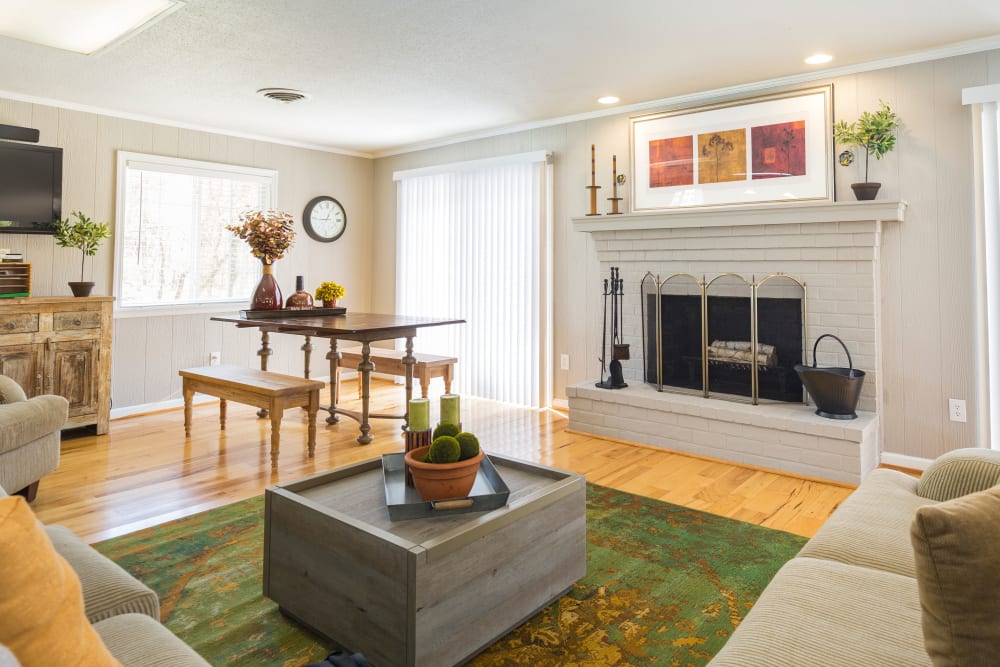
point(365, 328)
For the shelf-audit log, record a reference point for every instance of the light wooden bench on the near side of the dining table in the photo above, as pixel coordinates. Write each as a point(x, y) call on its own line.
point(262, 389)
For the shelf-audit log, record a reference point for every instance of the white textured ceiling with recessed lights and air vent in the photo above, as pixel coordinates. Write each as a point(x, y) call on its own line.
point(389, 74)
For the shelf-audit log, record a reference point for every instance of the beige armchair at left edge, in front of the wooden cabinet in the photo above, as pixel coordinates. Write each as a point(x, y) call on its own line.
point(29, 437)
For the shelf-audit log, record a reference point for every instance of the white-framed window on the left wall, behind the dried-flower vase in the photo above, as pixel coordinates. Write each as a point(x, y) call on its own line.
point(172, 248)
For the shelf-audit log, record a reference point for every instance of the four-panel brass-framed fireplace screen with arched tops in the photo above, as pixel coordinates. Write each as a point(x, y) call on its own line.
point(727, 337)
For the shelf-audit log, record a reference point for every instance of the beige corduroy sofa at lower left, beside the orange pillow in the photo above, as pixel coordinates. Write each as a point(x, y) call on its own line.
point(124, 612)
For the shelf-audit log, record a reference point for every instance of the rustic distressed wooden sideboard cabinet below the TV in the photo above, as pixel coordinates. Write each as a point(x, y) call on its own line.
point(61, 345)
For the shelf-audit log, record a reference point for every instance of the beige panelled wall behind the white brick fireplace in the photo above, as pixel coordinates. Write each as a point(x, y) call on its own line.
point(928, 261)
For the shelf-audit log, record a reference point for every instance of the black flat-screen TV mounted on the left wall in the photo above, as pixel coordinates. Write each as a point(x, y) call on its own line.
point(30, 188)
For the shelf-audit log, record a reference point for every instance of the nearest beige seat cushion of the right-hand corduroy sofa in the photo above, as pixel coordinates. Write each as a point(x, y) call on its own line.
point(820, 612)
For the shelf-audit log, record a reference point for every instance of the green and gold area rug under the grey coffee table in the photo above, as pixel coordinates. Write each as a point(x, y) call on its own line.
point(665, 585)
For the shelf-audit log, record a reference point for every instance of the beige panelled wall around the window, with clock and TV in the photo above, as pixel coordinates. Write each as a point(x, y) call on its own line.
point(149, 350)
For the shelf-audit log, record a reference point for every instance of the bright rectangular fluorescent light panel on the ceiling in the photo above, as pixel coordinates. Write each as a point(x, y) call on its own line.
point(83, 26)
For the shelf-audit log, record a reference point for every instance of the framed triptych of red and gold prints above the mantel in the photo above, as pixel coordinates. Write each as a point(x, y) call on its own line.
point(770, 148)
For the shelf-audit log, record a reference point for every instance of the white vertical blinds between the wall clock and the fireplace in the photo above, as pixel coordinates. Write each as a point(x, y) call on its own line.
point(471, 243)
